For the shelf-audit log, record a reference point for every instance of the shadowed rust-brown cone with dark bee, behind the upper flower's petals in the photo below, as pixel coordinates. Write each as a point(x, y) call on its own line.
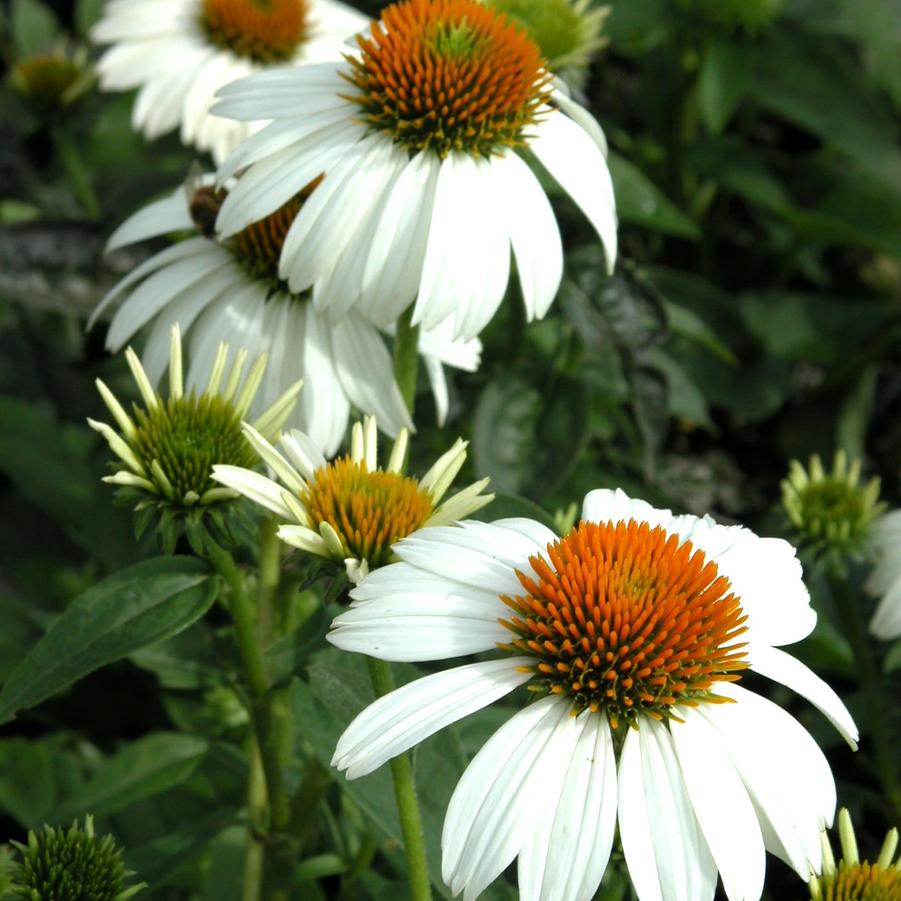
point(258, 247)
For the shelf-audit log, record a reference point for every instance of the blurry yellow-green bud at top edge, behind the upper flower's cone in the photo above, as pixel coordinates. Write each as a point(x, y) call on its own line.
point(568, 32)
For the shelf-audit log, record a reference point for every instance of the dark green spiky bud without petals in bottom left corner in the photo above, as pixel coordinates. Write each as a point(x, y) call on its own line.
point(73, 864)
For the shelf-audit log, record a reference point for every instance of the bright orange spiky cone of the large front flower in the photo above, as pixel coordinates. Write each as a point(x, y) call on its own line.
point(625, 619)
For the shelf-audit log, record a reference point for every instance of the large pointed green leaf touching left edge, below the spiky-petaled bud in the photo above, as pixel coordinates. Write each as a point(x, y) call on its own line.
point(136, 607)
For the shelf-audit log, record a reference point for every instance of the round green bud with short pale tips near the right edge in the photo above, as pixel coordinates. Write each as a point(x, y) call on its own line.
point(833, 512)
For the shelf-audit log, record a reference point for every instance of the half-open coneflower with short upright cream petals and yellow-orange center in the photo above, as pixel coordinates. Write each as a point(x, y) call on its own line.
point(349, 509)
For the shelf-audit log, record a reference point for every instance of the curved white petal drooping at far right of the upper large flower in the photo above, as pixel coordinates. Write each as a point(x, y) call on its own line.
point(573, 158)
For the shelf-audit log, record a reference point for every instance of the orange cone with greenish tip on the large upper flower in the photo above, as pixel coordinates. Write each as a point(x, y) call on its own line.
point(447, 75)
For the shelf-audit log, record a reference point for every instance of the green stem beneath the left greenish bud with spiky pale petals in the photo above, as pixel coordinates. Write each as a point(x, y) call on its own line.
point(241, 608)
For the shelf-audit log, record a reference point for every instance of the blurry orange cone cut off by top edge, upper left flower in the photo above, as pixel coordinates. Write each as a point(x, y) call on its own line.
point(266, 31)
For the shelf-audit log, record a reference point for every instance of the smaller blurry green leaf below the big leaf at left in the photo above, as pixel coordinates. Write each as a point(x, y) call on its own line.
point(147, 767)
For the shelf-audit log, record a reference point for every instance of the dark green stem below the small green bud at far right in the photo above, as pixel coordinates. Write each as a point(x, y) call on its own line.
point(871, 682)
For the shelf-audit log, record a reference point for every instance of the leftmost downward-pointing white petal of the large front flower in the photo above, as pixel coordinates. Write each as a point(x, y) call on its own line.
point(493, 812)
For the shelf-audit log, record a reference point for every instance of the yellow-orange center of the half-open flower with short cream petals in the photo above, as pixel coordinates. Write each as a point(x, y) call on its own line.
point(368, 510)
